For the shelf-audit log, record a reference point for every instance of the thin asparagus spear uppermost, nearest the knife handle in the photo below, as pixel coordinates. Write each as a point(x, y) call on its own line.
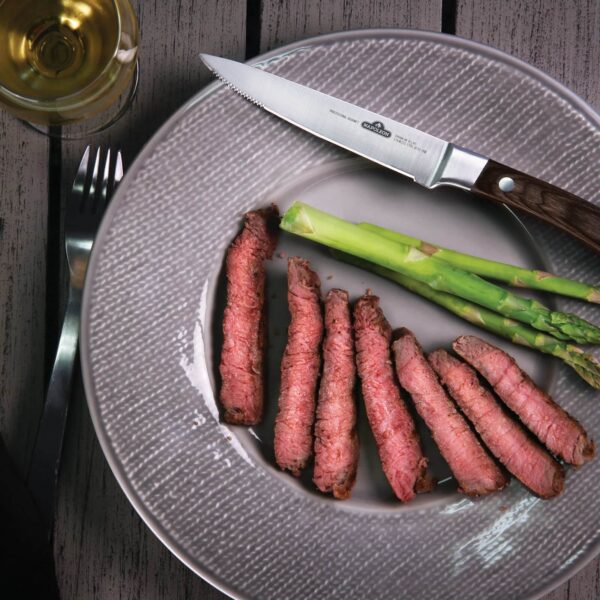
point(515, 276)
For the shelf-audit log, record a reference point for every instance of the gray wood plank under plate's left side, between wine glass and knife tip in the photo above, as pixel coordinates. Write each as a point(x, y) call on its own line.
point(102, 548)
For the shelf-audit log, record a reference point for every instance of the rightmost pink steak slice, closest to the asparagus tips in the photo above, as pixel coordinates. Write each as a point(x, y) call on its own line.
point(553, 426)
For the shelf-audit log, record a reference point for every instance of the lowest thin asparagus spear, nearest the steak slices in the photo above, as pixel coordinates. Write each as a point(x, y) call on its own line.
point(586, 366)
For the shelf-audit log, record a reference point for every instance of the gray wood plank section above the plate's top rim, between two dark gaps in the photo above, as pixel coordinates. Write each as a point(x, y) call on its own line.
point(285, 21)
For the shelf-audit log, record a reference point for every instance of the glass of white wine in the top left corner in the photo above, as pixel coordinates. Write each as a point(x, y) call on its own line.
point(62, 61)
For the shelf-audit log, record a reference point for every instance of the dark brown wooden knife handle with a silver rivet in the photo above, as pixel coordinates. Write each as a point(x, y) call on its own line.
point(568, 212)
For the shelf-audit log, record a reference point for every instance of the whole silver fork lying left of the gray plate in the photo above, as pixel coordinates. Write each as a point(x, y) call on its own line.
point(84, 211)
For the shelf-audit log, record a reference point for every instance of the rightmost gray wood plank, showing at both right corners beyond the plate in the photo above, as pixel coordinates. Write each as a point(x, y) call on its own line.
point(561, 38)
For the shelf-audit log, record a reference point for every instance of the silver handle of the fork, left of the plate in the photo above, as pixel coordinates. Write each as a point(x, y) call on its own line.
point(45, 461)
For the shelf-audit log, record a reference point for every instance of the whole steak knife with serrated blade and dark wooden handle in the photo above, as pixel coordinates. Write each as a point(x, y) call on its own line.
point(428, 160)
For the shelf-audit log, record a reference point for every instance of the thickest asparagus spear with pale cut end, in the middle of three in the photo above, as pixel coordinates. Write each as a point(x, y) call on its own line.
point(306, 221)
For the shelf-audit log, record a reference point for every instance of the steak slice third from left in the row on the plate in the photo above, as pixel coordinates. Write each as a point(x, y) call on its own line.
point(336, 439)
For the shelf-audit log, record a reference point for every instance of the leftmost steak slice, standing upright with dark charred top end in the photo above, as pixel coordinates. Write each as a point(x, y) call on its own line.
point(243, 352)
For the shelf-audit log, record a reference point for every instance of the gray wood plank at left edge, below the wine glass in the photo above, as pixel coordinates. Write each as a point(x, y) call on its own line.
point(23, 213)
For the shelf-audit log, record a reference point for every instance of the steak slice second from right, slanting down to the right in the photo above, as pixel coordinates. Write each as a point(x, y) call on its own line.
point(524, 457)
